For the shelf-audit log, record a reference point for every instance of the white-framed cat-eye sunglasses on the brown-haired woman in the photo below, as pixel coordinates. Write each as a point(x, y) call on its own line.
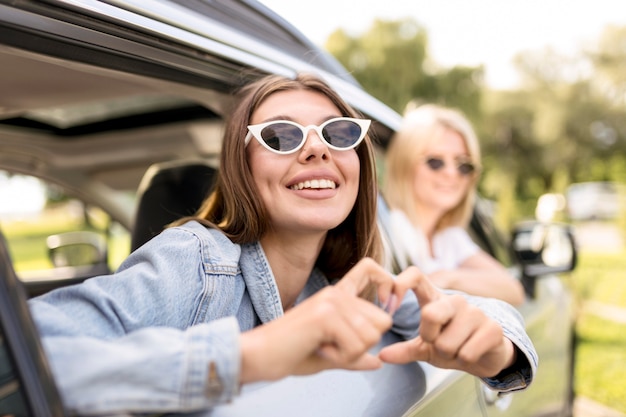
point(285, 137)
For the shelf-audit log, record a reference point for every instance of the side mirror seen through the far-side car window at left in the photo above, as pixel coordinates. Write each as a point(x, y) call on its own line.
point(77, 249)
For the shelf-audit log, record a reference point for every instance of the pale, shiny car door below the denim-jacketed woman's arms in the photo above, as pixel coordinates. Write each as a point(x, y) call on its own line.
point(412, 390)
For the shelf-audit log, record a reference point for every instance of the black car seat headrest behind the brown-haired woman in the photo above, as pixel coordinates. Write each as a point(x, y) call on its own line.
point(169, 191)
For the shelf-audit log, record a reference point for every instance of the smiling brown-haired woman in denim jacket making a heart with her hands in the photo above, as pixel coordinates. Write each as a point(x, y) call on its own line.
point(276, 275)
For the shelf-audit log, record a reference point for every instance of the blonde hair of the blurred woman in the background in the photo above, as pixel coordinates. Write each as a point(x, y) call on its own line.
point(421, 127)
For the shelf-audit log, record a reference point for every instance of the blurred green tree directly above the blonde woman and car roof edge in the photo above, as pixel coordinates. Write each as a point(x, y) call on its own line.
point(391, 62)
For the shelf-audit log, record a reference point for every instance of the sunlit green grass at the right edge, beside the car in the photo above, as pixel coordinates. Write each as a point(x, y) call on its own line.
point(600, 371)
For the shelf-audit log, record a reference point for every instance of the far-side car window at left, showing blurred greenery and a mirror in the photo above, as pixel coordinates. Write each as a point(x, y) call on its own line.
point(48, 230)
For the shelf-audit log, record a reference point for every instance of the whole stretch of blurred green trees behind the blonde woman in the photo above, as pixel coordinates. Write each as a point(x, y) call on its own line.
point(567, 124)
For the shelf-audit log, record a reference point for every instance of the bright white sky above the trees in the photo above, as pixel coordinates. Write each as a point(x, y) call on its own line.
point(468, 32)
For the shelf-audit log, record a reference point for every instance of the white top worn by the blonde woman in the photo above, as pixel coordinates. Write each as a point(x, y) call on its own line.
point(451, 246)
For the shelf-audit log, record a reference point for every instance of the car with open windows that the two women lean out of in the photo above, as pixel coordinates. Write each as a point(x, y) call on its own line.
point(112, 108)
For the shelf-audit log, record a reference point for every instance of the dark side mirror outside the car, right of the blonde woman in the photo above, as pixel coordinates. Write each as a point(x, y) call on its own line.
point(544, 248)
